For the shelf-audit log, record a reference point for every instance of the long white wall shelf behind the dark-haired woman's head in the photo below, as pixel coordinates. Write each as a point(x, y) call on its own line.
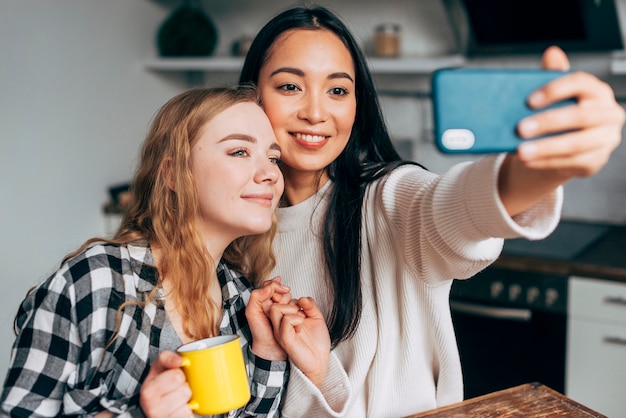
point(404, 65)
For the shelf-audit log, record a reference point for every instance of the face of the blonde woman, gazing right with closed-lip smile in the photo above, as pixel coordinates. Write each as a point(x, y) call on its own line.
point(234, 164)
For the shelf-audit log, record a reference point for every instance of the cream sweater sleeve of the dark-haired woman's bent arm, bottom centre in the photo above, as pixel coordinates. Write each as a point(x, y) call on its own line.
point(304, 399)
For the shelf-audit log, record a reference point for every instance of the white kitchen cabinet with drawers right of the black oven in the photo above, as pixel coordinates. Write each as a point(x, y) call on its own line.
point(596, 345)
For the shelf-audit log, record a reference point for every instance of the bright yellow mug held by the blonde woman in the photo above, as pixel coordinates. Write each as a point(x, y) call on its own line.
point(216, 373)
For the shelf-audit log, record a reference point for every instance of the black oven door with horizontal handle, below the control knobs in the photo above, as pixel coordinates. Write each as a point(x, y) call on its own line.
point(501, 347)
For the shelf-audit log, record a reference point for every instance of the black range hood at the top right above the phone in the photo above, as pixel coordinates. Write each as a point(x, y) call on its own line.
point(487, 27)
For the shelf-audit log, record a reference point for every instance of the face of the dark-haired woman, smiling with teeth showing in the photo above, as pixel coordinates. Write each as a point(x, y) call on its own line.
point(307, 87)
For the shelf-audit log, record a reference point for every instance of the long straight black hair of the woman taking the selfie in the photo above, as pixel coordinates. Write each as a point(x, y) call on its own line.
point(368, 156)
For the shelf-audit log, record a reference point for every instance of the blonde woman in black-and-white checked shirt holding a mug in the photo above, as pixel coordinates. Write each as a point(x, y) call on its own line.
point(201, 218)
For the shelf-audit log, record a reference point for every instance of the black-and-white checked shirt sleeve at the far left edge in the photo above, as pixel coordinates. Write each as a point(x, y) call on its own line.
point(45, 352)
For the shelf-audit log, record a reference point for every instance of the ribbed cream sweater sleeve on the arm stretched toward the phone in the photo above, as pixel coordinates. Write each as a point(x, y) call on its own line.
point(455, 221)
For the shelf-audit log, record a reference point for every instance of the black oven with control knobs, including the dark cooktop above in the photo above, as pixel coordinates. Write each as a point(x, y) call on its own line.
point(511, 324)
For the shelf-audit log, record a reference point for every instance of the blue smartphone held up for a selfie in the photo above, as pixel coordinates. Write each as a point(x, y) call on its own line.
point(476, 110)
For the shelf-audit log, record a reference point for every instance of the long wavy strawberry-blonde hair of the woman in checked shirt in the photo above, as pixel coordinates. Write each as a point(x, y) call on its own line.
point(164, 209)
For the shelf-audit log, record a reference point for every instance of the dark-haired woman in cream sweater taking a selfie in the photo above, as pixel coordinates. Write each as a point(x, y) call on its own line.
point(377, 241)
